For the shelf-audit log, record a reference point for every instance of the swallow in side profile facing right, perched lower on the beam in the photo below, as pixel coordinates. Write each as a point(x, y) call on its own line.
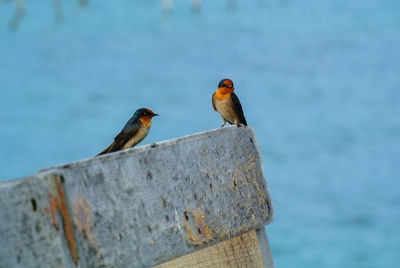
point(134, 131)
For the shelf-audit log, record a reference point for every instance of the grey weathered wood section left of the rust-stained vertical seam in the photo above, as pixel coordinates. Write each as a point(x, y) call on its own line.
point(30, 234)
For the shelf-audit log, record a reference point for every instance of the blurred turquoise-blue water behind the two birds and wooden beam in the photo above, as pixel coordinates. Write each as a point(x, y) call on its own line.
point(319, 82)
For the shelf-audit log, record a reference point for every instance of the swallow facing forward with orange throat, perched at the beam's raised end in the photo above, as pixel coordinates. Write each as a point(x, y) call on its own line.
point(227, 104)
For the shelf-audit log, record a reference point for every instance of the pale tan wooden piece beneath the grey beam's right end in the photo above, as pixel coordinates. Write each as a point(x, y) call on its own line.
point(246, 250)
